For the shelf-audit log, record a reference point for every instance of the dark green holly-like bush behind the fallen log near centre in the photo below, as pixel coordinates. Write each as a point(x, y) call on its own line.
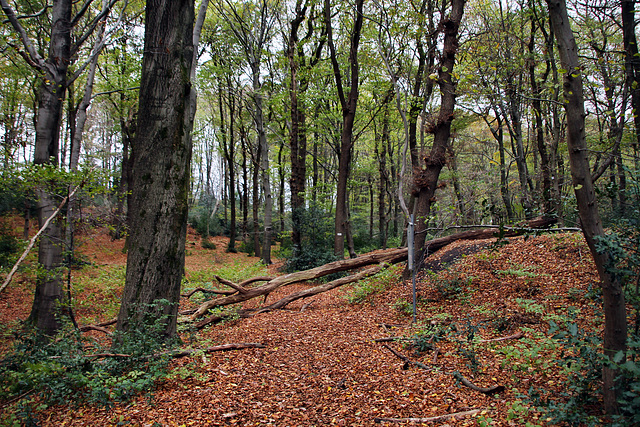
point(316, 229)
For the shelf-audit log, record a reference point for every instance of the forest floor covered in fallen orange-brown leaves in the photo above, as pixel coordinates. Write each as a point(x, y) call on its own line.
point(321, 365)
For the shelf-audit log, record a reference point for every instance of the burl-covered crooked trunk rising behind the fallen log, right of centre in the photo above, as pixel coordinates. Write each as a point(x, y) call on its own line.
point(426, 178)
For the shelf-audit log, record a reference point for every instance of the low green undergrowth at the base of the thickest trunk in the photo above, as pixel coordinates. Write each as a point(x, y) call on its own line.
point(61, 371)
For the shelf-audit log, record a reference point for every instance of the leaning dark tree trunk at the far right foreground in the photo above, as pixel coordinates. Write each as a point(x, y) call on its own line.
point(615, 329)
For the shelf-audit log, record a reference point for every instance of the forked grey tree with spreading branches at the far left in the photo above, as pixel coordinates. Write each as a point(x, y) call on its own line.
point(53, 71)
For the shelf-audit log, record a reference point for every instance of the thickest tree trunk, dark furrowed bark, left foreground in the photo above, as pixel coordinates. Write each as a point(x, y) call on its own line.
point(161, 171)
